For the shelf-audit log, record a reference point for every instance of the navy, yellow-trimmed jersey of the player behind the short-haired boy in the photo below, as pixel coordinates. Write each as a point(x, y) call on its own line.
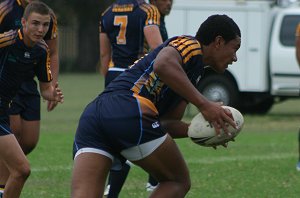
point(11, 12)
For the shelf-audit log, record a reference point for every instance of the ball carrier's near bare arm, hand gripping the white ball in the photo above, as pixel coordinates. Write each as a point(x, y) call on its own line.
point(171, 73)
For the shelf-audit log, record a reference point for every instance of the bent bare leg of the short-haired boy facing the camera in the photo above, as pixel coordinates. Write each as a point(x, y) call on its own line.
point(14, 159)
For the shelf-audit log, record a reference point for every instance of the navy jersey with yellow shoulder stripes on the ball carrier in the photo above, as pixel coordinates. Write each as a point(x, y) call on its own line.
point(142, 80)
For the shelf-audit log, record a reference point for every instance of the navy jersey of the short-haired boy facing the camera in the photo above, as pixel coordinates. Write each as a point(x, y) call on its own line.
point(19, 62)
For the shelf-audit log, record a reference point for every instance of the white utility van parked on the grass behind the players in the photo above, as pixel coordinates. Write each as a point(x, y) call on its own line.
point(267, 69)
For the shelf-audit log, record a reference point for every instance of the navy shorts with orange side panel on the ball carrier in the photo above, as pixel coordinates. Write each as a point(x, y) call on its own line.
point(114, 122)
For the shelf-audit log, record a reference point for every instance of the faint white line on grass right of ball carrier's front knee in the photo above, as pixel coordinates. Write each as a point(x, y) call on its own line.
point(210, 160)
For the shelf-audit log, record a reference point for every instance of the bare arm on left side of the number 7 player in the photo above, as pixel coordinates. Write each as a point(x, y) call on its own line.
point(105, 52)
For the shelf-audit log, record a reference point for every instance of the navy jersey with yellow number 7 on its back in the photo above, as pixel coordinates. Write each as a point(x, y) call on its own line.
point(124, 23)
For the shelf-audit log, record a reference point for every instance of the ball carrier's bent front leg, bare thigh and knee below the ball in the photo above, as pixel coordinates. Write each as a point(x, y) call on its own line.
point(167, 165)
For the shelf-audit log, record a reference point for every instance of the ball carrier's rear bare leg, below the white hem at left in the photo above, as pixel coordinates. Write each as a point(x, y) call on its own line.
point(89, 175)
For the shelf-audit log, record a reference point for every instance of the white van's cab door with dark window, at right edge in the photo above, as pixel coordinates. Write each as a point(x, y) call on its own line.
point(284, 69)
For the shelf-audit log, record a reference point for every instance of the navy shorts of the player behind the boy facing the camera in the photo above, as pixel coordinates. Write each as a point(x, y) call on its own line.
point(27, 102)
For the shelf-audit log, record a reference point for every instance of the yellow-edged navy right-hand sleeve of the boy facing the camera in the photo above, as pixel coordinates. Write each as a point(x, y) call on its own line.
point(42, 70)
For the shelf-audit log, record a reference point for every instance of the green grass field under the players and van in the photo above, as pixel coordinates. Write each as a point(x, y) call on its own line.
point(260, 164)
